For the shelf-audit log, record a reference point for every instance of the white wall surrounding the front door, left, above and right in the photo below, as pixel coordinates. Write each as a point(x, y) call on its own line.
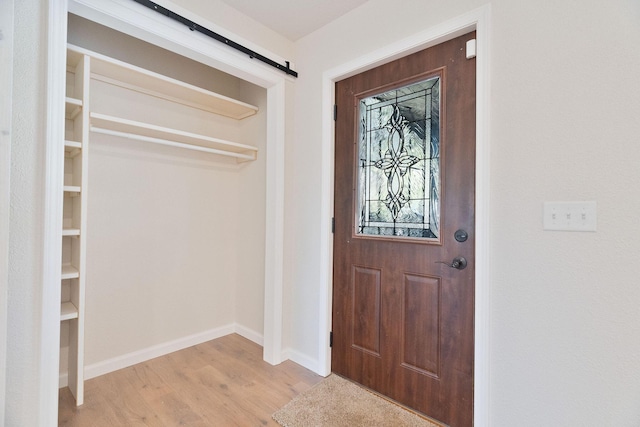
point(564, 107)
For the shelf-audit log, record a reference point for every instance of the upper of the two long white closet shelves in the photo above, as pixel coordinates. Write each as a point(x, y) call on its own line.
point(135, 78)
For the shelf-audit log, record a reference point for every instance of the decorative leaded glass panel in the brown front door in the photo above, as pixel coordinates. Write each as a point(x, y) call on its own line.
point(399, 162)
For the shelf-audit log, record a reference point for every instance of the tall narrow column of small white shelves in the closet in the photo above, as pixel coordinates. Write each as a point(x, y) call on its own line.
point(74, 222)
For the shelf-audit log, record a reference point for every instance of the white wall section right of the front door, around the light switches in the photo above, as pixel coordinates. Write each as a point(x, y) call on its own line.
point(565, 305)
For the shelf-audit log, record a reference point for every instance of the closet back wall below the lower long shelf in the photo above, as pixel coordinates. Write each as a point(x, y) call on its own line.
point(158, 264)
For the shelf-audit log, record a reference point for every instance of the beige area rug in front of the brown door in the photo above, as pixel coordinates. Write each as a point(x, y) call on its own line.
point(336, 402)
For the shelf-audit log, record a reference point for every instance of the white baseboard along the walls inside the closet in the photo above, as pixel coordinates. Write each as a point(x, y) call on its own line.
point(139, 356)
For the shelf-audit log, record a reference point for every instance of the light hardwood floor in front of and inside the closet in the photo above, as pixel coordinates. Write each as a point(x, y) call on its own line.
point(223, 382)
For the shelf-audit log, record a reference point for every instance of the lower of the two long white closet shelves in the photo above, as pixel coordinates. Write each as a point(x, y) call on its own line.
point(110, 125)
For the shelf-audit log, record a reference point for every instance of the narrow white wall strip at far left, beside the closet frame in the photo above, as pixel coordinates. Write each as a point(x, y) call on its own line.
point(25, 215)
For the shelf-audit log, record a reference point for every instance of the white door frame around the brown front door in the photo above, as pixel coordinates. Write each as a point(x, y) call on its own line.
point(478, 20)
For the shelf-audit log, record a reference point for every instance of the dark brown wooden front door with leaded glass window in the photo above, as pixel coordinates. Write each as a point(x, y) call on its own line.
point(403, 310)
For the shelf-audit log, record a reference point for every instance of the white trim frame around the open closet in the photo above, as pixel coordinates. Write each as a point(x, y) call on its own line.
point(143, 23)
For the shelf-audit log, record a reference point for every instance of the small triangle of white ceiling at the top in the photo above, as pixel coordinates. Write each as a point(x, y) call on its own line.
point(294, 19)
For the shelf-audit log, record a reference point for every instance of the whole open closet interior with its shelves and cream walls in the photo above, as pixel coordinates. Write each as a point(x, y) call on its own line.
point(164, 203)
